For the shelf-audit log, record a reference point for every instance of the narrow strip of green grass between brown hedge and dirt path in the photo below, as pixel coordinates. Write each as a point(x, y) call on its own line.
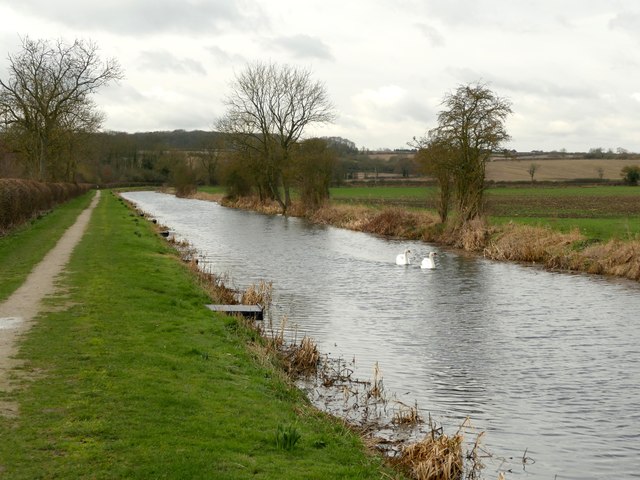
point(24, 247)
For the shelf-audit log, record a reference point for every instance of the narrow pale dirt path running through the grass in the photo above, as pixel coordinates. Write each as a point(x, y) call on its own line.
point(18, 312)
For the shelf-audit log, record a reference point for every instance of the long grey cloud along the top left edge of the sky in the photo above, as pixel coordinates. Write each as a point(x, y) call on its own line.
point(139, 17)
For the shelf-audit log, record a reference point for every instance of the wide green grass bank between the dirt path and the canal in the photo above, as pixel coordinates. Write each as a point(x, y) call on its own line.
point(134, 378)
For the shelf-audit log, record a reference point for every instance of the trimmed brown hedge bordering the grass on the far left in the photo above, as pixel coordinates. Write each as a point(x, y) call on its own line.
point(21, 200)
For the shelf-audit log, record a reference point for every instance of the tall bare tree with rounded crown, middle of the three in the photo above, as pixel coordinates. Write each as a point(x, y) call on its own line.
point(268, 109)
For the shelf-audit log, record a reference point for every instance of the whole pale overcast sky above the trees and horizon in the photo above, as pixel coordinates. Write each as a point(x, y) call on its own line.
point(571, 68)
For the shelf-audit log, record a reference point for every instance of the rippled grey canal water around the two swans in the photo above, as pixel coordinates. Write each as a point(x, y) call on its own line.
point(547, 364)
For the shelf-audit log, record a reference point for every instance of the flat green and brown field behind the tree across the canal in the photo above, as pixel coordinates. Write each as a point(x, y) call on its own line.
point(599, 212)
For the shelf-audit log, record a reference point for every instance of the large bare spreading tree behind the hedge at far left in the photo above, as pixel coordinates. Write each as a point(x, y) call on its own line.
point(46, 100)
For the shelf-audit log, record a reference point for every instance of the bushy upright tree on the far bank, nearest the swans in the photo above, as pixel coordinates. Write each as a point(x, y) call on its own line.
point(471, 127)
